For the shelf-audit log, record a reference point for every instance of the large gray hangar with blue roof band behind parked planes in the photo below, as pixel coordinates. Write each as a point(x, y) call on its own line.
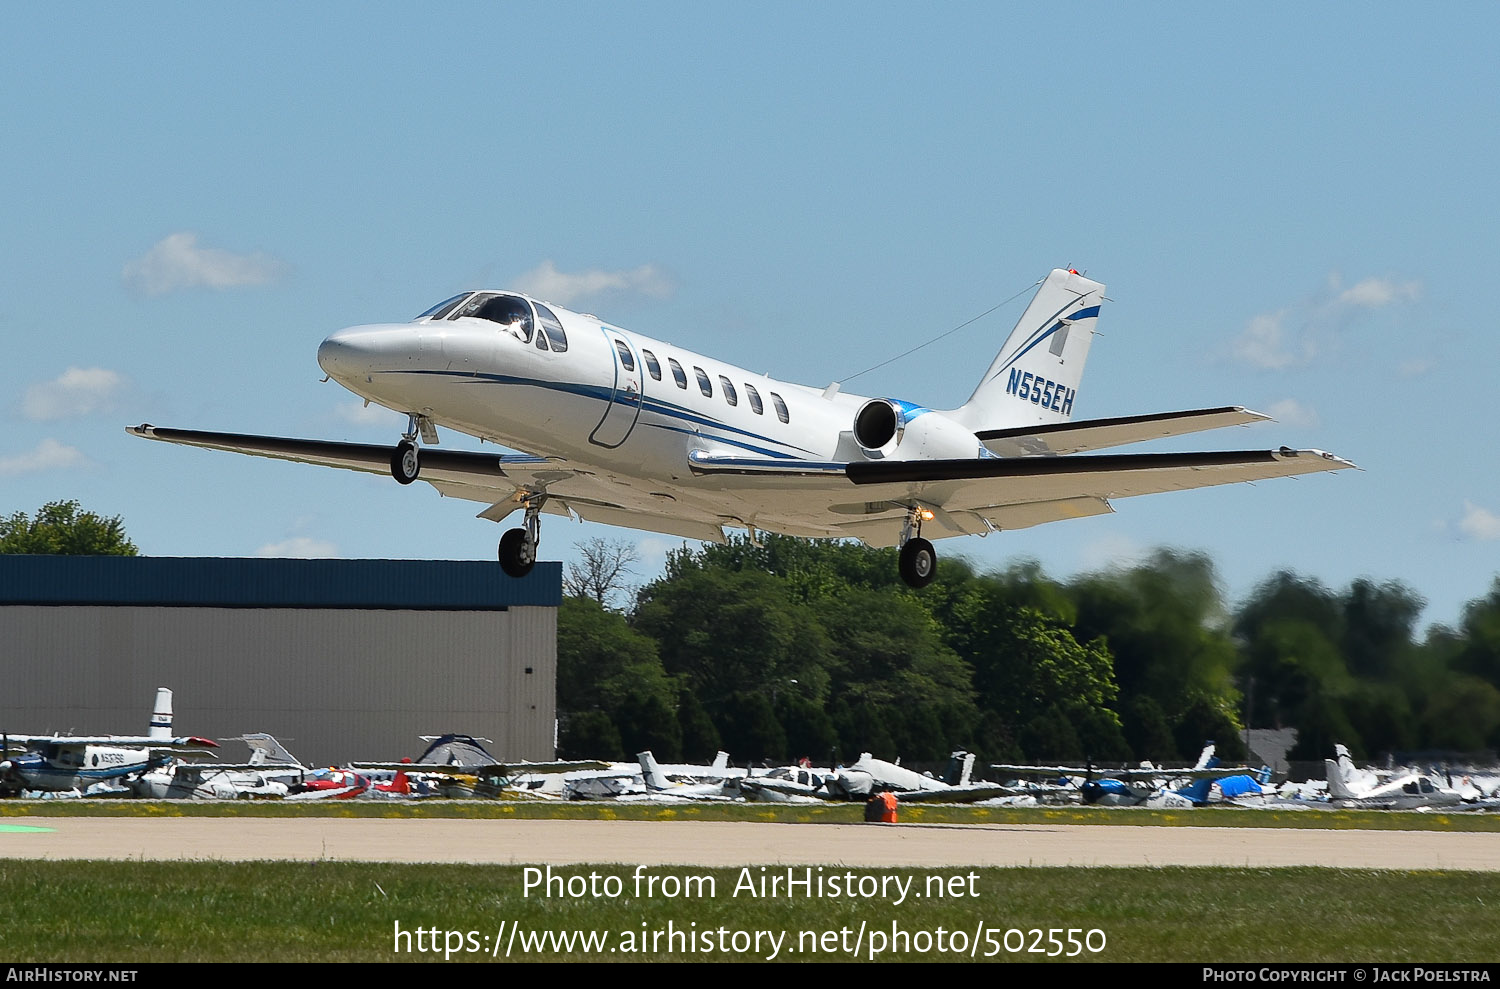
point(340, 660)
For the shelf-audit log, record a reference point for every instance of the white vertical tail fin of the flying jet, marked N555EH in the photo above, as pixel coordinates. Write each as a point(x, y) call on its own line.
point(1036, 376)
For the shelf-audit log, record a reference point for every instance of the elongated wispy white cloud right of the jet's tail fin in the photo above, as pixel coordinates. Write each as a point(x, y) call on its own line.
point(1300, 334)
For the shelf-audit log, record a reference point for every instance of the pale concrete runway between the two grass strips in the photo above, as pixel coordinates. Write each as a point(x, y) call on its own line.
point(736, 844)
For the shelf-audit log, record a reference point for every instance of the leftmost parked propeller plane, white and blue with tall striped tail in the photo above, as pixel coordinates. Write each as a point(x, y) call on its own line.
point(62, 763)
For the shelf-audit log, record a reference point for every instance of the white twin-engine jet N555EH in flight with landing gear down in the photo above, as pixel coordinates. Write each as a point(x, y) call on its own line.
point(625, 430)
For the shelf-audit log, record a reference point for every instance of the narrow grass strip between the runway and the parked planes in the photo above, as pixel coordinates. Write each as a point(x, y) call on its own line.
point(787, 814)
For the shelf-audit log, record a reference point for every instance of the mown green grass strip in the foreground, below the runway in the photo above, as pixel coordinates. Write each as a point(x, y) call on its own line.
point(133, 912)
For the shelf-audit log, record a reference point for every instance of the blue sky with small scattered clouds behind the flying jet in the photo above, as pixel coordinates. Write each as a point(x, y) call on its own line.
point(1294, 209)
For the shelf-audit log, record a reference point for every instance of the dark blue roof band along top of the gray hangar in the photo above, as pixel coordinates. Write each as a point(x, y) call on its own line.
point(232, 583)
